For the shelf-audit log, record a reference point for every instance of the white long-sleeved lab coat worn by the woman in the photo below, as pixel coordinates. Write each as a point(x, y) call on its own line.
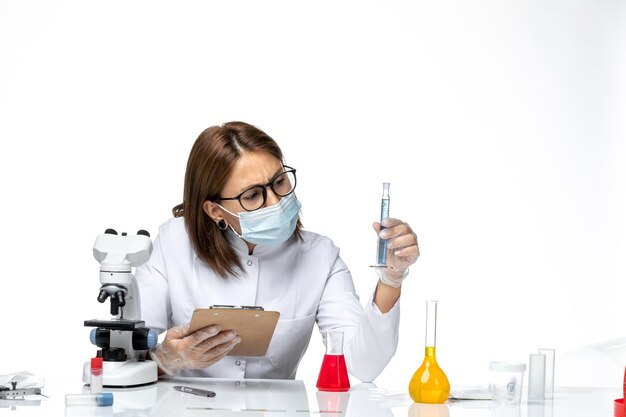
point(306, 281)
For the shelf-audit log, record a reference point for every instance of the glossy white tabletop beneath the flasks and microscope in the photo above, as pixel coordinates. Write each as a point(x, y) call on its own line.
point(255, 398)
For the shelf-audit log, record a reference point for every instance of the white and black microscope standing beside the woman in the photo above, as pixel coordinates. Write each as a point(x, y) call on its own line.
point(123, 340)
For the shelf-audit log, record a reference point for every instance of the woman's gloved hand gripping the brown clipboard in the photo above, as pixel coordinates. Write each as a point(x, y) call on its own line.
point(202, 348)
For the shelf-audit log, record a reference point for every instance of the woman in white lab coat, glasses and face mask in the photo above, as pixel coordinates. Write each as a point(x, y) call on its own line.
point(237, 240)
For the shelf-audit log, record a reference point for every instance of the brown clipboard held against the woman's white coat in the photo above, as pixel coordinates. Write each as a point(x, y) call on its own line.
point(253, 325)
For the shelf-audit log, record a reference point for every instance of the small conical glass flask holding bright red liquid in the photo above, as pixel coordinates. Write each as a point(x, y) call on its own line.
point(334, 373)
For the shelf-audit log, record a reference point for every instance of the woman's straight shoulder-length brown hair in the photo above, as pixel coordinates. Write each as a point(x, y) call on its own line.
point(210, 163)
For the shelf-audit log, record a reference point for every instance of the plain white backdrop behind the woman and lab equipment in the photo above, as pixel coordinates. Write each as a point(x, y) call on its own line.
point(500, 125)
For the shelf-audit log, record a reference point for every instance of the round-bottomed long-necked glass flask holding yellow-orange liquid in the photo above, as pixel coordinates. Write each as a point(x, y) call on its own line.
point(429, 383)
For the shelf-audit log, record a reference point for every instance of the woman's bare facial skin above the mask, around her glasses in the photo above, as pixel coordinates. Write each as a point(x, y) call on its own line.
point(253, 168)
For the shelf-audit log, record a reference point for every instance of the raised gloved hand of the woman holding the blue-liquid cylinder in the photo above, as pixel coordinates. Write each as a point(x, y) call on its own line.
point(402, 248)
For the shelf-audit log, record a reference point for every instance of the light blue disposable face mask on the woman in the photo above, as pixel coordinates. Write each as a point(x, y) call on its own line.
point(271, 225)
